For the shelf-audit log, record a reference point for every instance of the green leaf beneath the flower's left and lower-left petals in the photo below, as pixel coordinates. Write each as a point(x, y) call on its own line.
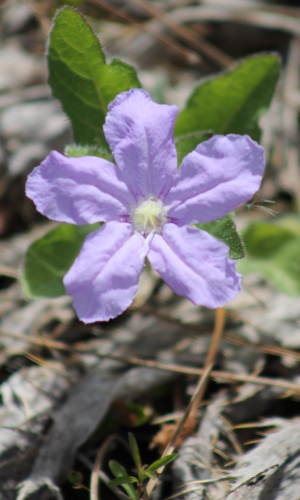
point(49, 258)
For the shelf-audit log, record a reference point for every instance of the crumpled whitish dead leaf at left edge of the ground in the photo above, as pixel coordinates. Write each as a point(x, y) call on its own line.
point(28, 399)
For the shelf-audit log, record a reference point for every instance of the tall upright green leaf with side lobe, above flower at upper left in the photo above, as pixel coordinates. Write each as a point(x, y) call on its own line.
point(81, 79)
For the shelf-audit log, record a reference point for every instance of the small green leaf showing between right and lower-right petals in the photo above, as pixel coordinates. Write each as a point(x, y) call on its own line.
point(224, 229)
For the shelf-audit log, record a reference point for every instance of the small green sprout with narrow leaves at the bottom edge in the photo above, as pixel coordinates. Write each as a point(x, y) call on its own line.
point(134, 485)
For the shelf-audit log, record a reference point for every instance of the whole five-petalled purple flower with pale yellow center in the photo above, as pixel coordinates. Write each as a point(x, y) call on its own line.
point(148, 207)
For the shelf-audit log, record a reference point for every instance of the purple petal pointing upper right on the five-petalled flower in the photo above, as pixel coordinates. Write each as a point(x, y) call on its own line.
point(219, 175)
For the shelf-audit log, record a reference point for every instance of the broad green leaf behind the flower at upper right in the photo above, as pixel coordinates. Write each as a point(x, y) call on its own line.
point(232, 102)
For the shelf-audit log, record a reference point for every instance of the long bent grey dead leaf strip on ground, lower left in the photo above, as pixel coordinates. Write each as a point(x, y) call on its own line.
point(72, 427)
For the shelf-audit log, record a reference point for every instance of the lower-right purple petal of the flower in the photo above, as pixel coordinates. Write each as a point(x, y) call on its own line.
point(195, 265)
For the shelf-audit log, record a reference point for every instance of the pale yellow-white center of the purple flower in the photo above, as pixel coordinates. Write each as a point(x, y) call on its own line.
point(148, 216)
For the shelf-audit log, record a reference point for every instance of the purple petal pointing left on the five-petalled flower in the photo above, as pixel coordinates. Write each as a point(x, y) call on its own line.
point(79, 190)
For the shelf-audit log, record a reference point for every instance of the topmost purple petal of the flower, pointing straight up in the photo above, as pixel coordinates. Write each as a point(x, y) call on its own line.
point(140, 134)
